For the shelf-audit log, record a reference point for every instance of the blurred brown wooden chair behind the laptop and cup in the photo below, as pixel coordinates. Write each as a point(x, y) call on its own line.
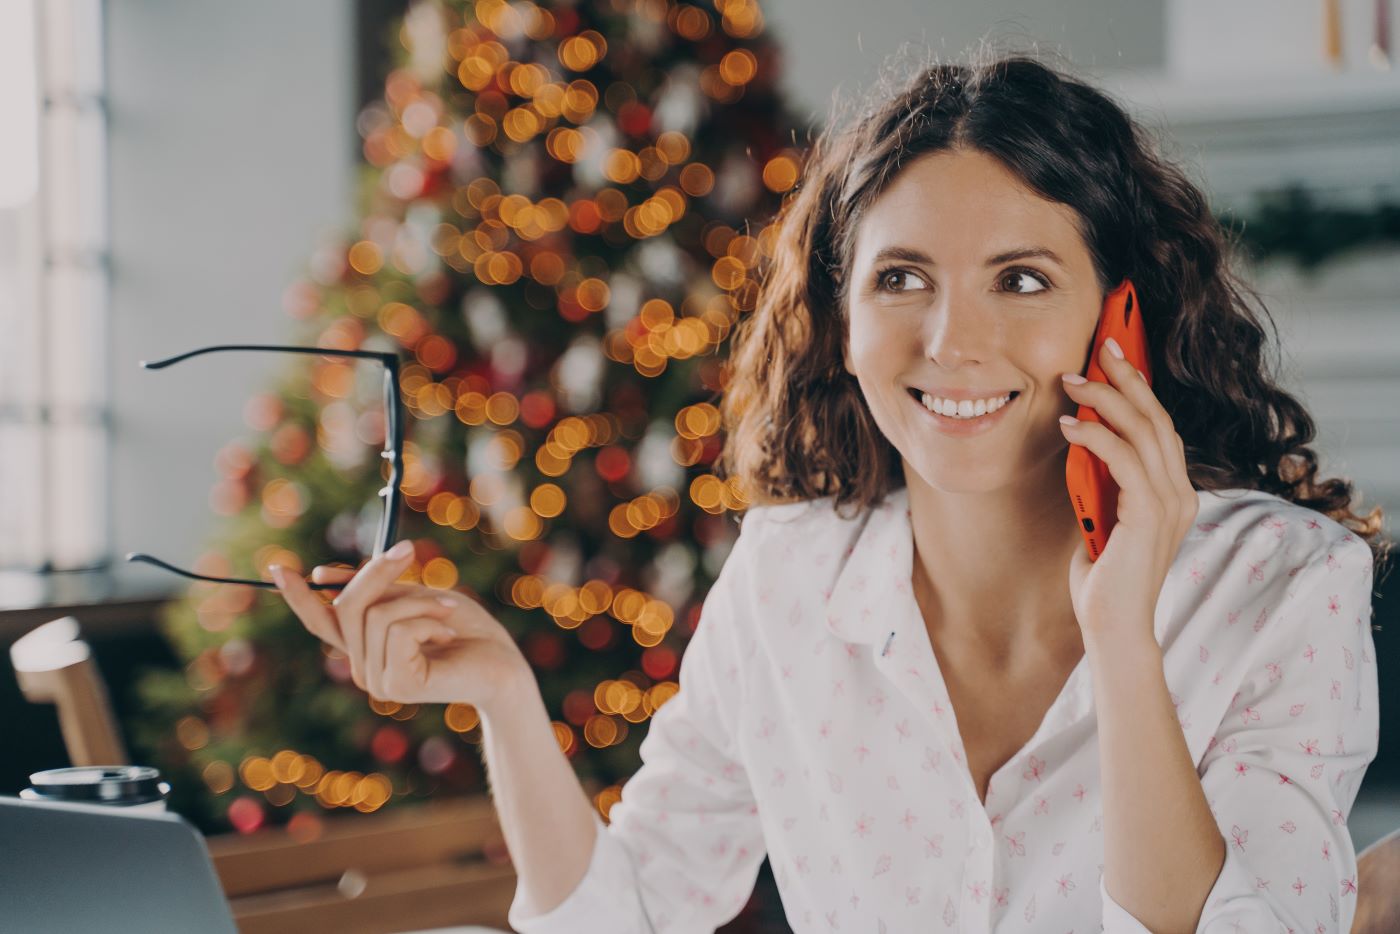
point(433, 866)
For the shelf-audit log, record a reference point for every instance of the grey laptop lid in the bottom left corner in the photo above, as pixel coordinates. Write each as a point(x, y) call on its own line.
point(69, 869)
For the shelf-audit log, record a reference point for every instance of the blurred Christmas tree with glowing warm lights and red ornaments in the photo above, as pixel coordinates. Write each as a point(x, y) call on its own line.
point(562, 216)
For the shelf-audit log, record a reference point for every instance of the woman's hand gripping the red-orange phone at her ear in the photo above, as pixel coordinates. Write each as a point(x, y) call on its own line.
point(1157, 503)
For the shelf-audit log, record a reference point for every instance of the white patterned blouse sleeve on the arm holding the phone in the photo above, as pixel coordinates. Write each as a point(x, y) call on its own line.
point(1287, 762)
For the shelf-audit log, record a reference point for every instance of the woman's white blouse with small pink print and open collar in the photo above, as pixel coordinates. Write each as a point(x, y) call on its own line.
point(813, 725)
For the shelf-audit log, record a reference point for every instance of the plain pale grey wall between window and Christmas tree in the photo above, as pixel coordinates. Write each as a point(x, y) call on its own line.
point(232, 148)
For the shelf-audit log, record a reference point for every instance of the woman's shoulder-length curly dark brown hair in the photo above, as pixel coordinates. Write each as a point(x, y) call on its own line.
point(797, 424)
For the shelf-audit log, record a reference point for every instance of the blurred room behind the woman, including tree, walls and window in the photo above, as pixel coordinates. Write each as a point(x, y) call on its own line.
point(554, 214)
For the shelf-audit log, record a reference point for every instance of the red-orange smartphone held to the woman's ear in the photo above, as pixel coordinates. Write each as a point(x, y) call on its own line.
point(1093, 491)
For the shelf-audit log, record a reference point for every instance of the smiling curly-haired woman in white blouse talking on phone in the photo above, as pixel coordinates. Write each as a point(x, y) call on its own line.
point(933, 709)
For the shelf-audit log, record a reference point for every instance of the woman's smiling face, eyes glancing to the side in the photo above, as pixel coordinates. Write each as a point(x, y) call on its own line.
point(937, 303)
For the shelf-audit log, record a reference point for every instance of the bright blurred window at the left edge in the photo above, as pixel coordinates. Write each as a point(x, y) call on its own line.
point(54, 292)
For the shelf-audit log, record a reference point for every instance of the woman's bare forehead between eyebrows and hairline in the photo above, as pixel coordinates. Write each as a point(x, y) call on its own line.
point(965, 205)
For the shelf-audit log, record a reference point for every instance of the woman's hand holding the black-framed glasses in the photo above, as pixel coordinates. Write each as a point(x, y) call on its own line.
point(408, 643)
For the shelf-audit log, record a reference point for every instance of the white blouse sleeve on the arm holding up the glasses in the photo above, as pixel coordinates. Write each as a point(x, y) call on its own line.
point(684, 846)
